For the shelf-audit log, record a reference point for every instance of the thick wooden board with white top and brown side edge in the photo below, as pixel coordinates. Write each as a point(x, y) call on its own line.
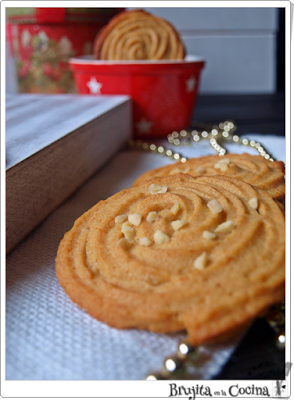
point(54, 143)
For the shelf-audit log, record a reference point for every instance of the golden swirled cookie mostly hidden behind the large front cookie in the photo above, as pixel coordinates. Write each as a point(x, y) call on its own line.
point(255, 170)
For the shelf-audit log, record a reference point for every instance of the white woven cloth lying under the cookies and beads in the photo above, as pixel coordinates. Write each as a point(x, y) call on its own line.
point(50, 338)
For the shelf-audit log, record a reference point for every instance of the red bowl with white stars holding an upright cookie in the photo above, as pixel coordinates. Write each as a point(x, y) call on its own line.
point(163, 92)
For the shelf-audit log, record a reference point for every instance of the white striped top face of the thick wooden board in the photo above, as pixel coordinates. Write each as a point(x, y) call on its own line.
point(34, 122)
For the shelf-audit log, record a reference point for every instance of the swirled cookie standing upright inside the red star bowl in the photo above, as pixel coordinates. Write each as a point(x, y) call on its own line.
point(138, 35)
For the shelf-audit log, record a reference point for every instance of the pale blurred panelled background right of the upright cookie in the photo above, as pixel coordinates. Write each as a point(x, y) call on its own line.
point(239, 45)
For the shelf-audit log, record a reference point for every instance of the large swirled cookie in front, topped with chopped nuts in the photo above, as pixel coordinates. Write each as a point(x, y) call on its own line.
point(203, 254)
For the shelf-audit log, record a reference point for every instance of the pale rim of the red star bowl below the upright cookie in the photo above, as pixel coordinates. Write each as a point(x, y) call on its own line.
point(86, 60)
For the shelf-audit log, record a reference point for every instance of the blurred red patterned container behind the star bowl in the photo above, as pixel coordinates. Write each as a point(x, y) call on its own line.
point(43, 39)
